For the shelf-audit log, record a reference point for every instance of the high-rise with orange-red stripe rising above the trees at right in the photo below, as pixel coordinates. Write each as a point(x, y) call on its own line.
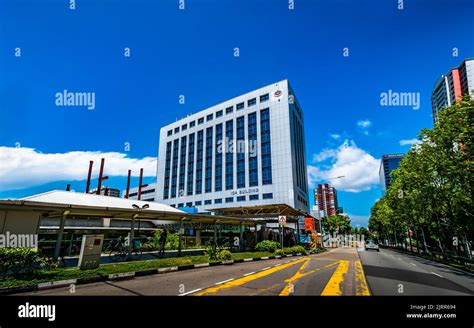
point(453, 86)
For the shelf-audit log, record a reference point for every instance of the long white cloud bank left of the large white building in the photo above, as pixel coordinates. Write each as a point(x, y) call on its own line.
point(27, 167)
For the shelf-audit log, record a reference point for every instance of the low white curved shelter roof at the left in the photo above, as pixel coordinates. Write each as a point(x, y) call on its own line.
point(23, 215)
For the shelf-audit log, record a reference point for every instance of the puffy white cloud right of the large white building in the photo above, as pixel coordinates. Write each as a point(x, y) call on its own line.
point(359, 168)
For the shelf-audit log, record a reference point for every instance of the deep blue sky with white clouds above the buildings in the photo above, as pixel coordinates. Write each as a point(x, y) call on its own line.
point(191, 52)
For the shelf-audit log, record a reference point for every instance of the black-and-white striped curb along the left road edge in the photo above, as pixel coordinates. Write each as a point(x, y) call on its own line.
point(130, 275)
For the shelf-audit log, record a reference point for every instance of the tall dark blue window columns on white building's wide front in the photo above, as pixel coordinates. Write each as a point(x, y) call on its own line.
point(203, 167)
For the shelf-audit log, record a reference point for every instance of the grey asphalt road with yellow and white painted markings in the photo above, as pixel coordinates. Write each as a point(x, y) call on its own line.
point(342, 271)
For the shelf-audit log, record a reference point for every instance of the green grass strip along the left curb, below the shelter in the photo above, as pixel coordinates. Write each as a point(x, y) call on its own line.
point(106, 269)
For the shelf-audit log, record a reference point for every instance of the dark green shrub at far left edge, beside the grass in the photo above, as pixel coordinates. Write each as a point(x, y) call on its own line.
point(18, 260)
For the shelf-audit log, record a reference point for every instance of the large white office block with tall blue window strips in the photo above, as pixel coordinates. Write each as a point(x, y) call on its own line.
point(246, 151)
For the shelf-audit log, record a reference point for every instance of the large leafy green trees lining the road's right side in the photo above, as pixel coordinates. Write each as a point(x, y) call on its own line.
point(431, 190)
